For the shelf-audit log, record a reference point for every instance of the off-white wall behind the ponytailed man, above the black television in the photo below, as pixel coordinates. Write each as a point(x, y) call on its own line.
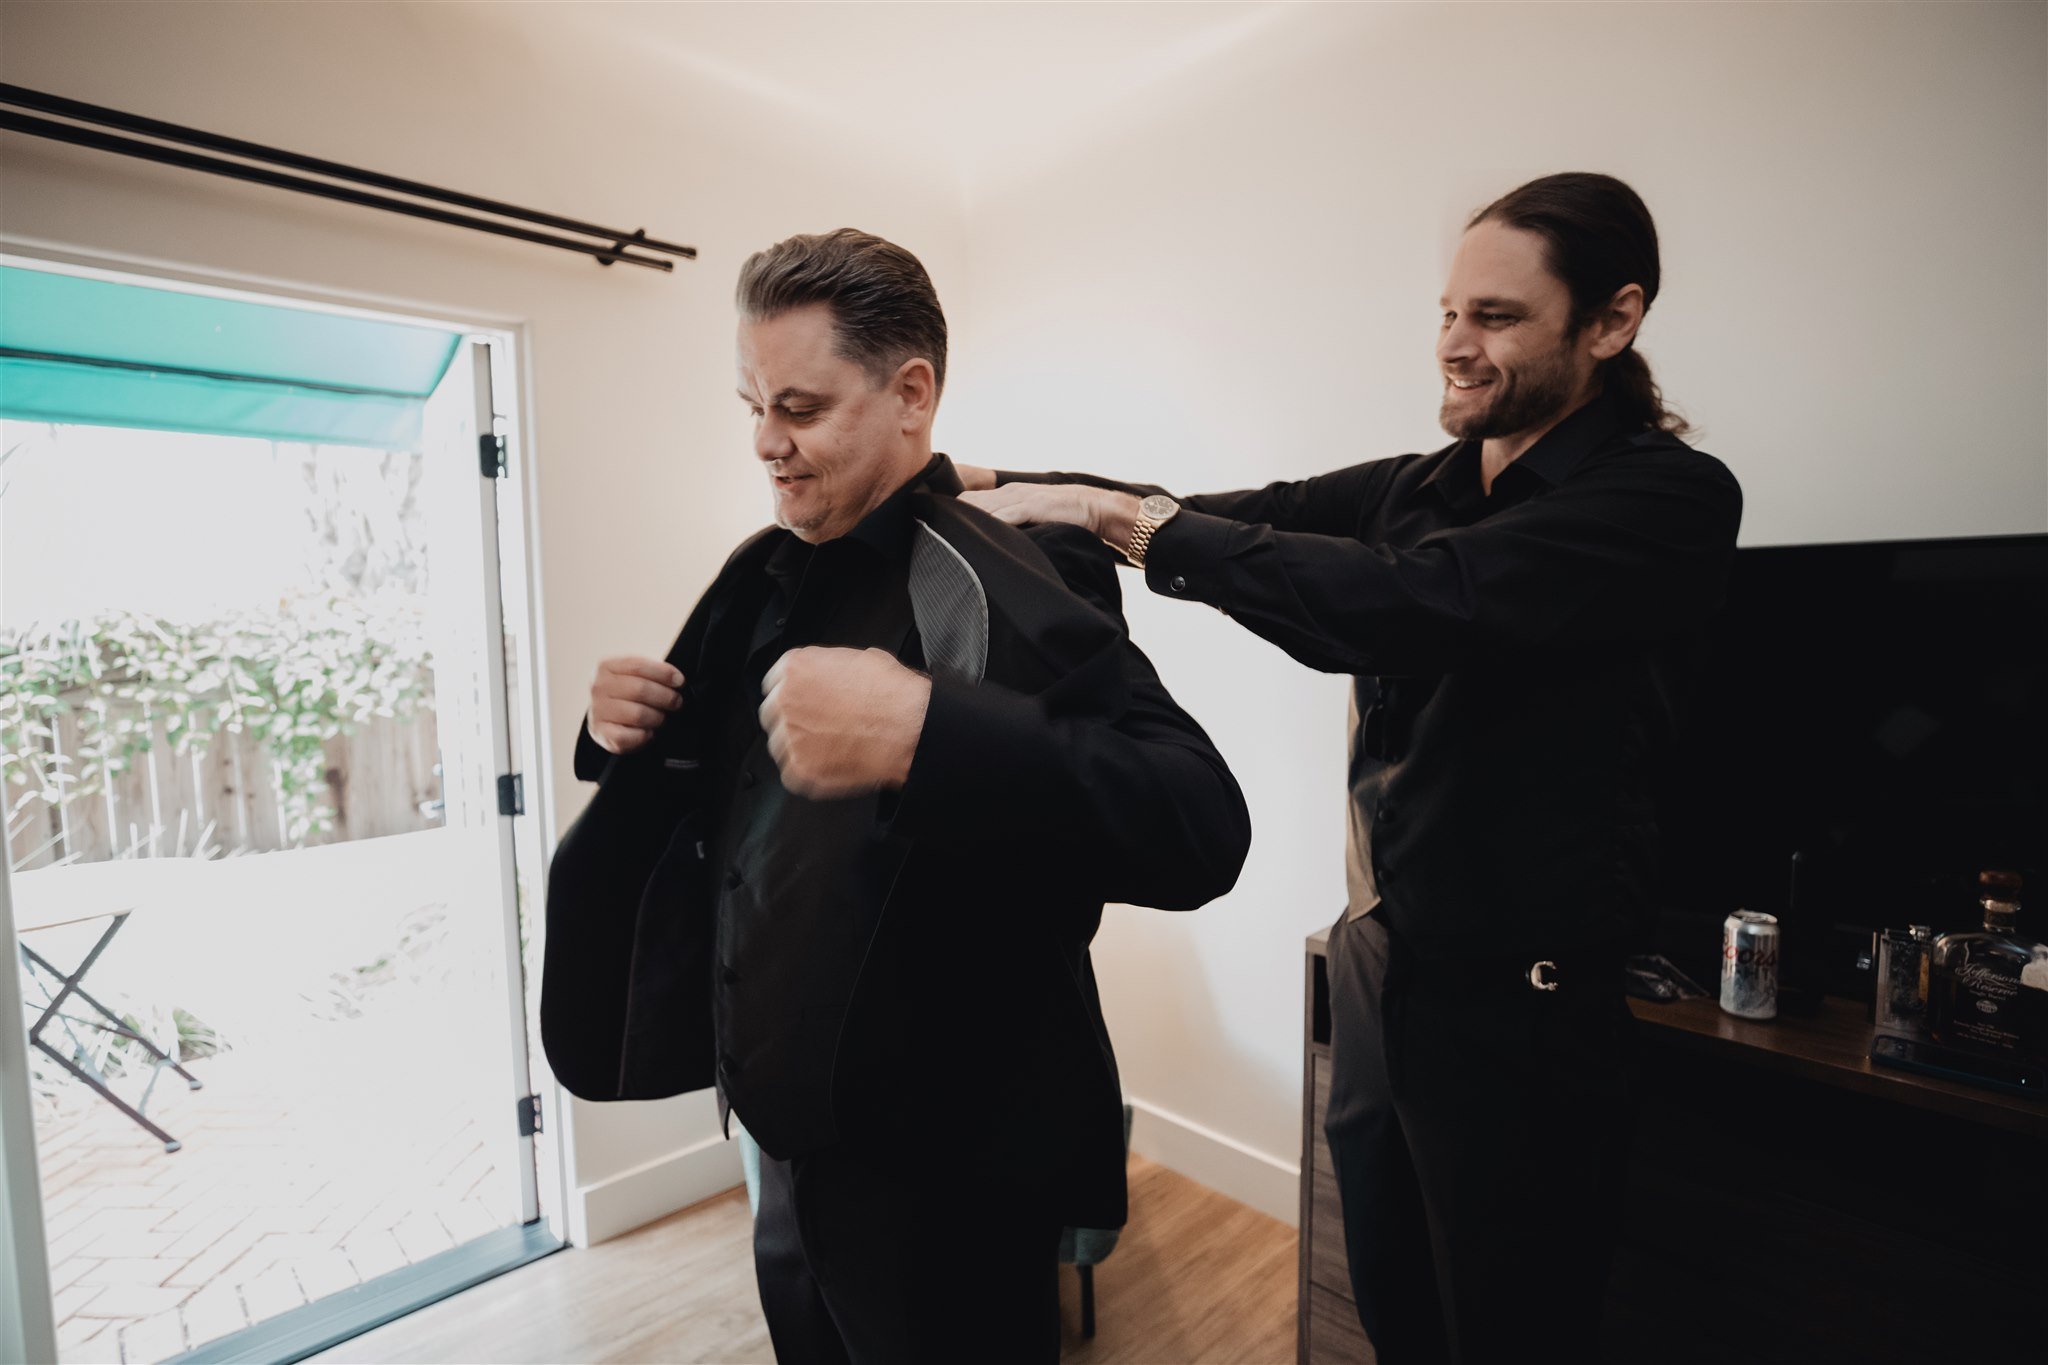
point(1238, 283)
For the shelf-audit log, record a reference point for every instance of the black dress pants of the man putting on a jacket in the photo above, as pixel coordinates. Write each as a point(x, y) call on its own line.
point(867, 1260)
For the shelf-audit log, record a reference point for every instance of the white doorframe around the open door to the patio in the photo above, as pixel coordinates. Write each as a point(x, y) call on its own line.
point(521, 478)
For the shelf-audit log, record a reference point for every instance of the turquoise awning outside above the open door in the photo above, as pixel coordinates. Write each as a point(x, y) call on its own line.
point(99, 353)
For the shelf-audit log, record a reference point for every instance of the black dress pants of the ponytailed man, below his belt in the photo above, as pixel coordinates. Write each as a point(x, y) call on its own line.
point(1480, 1133)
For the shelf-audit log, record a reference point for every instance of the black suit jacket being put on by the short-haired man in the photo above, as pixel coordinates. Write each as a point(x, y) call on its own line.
point(1062, 781)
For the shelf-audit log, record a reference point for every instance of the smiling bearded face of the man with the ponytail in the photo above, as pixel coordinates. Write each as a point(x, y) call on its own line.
point(1512, 363)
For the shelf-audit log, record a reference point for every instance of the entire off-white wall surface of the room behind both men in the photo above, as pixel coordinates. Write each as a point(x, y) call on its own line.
point(1218, 269)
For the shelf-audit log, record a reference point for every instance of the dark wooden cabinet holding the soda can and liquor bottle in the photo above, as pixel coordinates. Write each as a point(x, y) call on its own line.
point(1787, 1202)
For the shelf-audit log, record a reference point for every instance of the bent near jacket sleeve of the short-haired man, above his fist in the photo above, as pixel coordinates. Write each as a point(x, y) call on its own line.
point(1136, 809)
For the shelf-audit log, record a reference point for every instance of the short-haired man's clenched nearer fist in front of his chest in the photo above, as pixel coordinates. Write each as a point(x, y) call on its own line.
point(843, 721)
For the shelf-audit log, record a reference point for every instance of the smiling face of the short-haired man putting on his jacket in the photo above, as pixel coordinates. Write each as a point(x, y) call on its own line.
point(833, 441)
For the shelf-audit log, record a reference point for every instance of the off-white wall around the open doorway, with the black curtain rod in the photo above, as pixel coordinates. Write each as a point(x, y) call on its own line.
point(646, 478)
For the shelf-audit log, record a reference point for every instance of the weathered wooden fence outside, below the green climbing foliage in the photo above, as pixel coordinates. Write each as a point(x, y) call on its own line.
point(224, 795)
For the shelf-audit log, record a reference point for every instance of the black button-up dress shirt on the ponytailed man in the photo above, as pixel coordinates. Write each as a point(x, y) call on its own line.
point(1519, 660)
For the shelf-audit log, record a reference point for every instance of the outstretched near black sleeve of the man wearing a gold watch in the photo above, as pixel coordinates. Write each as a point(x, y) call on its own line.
point(1629, 554)
